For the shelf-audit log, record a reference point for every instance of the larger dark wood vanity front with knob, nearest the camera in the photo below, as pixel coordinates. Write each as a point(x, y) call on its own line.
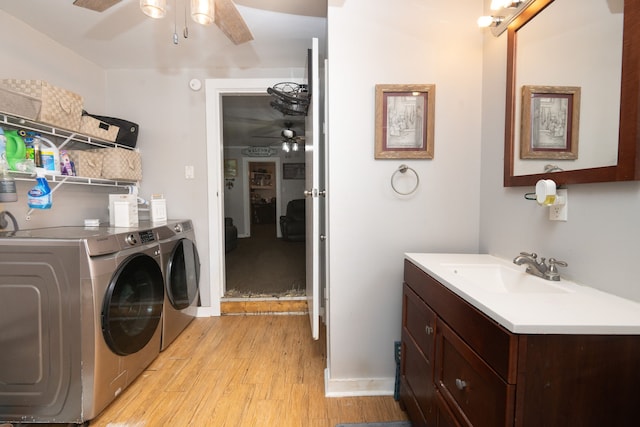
point(474, 392)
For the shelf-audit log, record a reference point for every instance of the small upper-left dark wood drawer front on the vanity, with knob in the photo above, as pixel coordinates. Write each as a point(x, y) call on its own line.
point(419, 322)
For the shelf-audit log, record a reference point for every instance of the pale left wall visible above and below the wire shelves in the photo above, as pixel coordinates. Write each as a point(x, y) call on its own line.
point(28, 54)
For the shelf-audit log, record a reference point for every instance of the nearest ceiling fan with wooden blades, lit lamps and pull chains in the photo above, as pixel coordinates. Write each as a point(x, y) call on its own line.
point(223, 12)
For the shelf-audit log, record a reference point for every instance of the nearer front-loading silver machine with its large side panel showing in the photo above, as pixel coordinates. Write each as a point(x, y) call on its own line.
point(80, 319)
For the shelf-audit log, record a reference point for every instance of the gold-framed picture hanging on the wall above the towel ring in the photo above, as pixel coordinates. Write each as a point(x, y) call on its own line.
point(404, 121)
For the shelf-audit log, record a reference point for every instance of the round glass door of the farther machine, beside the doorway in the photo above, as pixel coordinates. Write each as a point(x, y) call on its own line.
point(183, 275)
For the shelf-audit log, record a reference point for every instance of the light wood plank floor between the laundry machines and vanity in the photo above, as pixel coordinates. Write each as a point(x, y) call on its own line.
point(241, 371)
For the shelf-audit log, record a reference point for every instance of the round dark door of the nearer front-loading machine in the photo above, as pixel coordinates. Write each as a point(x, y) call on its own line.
point(133, 304)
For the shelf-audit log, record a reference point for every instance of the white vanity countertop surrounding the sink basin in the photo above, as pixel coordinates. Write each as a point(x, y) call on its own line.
point(578, 309)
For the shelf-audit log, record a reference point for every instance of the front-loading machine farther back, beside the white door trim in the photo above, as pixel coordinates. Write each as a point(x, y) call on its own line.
point(181, 269)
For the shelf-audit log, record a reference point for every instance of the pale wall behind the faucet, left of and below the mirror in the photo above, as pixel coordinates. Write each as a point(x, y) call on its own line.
point(600, 238)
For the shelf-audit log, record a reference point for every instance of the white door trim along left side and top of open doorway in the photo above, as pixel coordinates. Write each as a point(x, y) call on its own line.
point(214, 90)
